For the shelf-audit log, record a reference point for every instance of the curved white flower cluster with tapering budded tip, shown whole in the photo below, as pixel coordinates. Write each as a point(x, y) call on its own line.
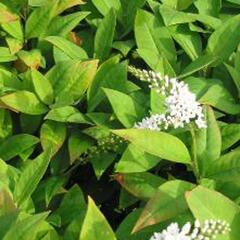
point(181, 104)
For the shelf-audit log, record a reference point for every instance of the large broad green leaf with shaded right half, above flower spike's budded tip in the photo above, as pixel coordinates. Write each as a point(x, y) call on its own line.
point(151, 34)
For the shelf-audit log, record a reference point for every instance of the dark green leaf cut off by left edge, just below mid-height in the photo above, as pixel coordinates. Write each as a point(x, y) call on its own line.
point(16, 144)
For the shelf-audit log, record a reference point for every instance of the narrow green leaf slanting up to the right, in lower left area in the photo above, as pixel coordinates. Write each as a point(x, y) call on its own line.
point(30, 177)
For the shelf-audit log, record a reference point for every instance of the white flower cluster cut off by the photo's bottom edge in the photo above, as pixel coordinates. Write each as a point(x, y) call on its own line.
point(206, 231)
